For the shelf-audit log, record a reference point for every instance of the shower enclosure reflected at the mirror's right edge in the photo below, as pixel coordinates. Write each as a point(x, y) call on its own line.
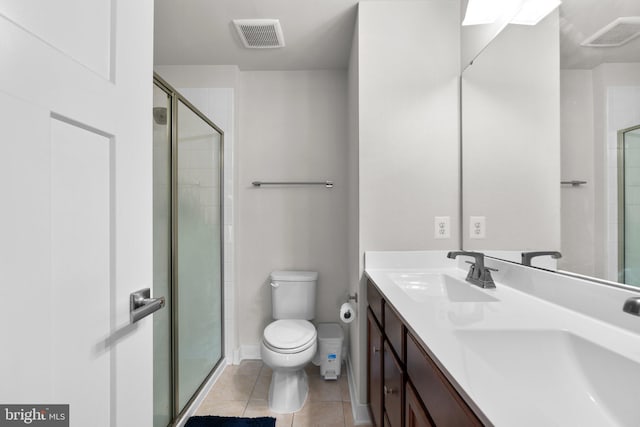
point(629, 206)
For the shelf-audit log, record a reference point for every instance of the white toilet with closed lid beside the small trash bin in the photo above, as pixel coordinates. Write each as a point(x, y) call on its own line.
point(290, 341)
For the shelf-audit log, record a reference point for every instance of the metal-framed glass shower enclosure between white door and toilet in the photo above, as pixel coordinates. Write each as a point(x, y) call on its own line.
point(187, 256)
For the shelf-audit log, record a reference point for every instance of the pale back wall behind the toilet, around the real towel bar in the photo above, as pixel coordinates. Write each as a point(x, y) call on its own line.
point(293, 127)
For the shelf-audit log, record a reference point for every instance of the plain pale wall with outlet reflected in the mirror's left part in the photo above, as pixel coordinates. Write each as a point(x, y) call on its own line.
point(511, 140)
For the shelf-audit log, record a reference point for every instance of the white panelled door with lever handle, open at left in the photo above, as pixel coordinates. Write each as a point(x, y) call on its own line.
point(76, 207)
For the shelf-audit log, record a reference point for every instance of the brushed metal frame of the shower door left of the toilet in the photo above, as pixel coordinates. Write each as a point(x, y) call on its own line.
point(176, 97)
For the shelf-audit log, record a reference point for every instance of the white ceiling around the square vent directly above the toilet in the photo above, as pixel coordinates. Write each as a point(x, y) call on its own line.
point(317, 33)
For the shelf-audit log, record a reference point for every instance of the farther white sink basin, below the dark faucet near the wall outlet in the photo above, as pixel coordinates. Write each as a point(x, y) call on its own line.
point(422, 286)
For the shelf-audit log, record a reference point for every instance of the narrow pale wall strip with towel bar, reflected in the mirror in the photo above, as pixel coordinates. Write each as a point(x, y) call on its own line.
point(577, 163)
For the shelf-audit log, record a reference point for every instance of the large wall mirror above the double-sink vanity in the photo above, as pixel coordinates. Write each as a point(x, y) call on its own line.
point(540, 121)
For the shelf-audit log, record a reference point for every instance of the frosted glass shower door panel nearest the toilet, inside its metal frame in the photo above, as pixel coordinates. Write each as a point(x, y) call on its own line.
point(199, 266)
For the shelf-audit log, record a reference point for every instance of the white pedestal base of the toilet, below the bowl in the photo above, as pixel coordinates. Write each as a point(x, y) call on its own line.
point(288, 391)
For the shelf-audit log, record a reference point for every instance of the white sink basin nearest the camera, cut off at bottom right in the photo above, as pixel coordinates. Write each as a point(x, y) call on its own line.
point(561, 378)
